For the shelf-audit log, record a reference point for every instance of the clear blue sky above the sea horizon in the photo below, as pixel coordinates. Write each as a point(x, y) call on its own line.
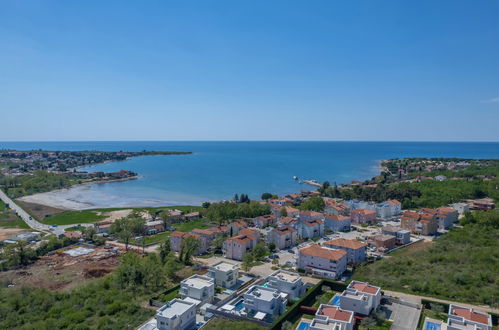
point(249, 70)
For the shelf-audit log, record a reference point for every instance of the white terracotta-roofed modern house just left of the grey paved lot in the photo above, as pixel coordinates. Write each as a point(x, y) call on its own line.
point(360, 298)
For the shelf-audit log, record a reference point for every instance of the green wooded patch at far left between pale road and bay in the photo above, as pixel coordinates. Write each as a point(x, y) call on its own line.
point(39, 181)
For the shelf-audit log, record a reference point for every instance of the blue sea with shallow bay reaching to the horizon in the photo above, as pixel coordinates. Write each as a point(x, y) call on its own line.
point(218, 170)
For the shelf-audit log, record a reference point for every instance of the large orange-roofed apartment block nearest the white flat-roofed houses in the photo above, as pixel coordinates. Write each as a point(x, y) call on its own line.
point(322, 261)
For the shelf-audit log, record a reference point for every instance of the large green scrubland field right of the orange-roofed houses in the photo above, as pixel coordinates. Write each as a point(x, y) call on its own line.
point(462, 265)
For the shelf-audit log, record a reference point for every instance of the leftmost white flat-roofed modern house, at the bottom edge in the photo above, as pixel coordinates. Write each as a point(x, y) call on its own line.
point(177, 314)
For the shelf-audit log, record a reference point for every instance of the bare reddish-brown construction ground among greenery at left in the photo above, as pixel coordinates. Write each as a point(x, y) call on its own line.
point(66, 268)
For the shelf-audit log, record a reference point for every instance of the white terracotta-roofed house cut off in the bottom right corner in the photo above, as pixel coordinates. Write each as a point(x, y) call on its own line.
point(466, 318)
